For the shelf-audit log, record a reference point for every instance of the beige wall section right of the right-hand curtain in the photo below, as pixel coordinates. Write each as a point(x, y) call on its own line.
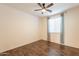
point(71, 19)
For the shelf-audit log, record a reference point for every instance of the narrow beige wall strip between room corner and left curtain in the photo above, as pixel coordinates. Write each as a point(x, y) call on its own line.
point(43, 28)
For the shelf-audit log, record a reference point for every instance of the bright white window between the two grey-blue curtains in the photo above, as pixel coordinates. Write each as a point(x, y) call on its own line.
point(54, 24)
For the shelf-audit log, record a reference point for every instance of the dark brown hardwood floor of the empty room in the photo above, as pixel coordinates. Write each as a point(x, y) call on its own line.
point(42, 48)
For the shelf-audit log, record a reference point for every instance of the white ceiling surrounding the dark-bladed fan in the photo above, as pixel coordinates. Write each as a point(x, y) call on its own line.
point(30, 7)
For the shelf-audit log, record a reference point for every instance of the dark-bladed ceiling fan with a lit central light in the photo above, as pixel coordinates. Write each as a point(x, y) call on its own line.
point(44, 8)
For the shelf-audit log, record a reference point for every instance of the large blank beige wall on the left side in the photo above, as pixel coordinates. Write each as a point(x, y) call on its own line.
point(17, 28)
